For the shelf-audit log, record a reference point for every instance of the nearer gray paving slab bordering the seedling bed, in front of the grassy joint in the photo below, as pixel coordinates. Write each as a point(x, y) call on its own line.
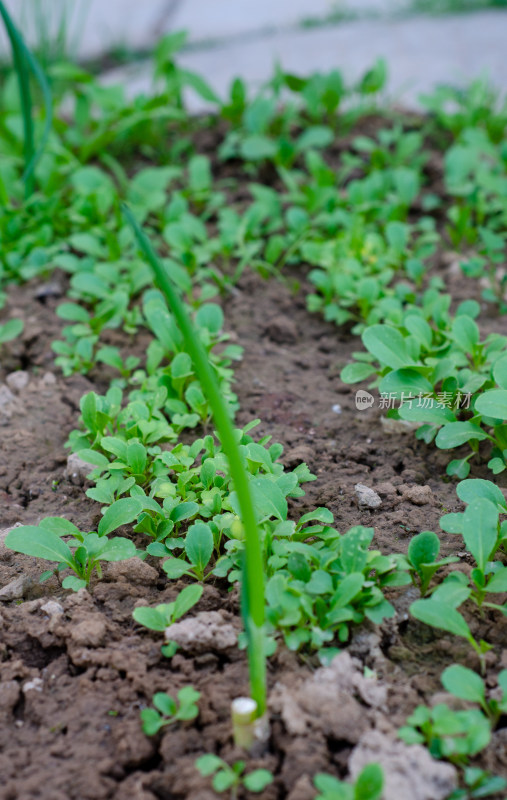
point(421, 53)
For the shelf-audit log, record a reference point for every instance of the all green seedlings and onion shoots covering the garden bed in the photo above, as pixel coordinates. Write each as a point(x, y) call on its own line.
point(365, 227)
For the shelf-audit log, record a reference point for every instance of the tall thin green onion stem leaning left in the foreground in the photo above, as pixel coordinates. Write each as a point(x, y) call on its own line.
point(253, 581)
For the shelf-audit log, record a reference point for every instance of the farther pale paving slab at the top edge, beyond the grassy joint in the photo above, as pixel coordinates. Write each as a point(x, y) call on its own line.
point(95, 27)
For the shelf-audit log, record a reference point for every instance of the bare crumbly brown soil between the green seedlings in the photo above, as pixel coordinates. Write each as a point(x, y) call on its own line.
point(75, 669)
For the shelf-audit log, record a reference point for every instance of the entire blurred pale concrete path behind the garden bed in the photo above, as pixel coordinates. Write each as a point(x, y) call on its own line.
point(245, 37)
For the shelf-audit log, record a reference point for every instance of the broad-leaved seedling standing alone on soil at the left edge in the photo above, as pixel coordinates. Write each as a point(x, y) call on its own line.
point(82, 553)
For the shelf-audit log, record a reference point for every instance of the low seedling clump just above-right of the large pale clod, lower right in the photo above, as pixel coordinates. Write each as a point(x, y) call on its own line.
point(454, 735)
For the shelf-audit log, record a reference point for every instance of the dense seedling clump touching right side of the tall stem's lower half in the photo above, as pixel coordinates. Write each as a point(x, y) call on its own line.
point(317, 591)
